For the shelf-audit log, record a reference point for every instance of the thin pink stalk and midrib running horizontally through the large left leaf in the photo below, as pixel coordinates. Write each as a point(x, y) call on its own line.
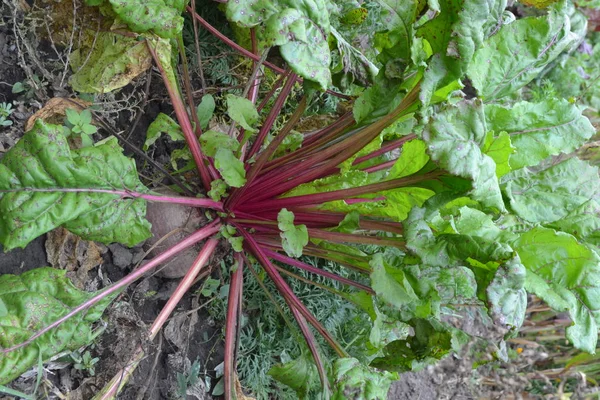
point(187, 201)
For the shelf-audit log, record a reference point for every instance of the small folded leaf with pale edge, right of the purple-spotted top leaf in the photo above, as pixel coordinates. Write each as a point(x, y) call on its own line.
point(353, 66)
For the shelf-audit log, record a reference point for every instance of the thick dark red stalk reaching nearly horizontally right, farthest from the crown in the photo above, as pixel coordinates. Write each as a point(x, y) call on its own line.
point(342, 194)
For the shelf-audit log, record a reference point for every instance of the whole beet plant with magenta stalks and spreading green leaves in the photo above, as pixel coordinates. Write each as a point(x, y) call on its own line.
point(434, 199)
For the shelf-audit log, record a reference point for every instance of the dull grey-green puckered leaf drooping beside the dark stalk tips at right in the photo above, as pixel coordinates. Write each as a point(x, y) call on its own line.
point(455, 137)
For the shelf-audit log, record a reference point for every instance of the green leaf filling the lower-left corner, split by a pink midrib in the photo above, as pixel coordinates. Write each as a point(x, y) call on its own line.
point(34, 300)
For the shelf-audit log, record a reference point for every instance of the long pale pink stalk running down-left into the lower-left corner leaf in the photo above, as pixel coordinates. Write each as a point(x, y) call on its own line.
point(199, 235)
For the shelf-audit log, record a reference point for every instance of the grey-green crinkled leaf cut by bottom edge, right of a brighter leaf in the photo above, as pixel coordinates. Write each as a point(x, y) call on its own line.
point(352, 379)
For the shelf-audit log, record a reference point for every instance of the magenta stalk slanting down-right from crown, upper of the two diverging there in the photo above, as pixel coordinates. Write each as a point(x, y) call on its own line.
point(287, 292)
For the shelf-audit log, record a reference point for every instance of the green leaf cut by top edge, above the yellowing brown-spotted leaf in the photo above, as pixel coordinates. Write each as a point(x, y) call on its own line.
point(162, 17)
